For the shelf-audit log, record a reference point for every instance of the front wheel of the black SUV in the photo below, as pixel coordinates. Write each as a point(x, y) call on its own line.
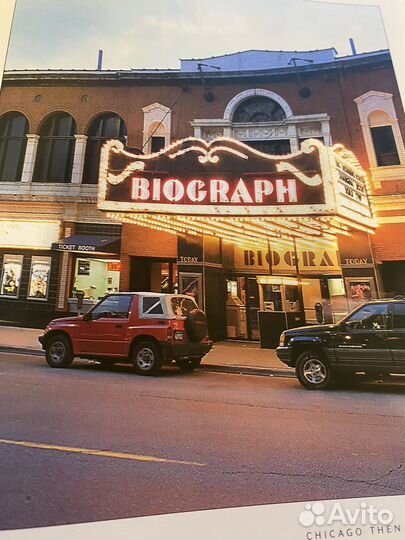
point(313, 371)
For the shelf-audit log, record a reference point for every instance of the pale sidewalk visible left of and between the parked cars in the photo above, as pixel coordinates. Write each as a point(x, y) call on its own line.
point(225, 357)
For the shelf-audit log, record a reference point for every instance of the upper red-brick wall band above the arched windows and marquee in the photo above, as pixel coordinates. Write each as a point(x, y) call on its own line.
point(331, 93)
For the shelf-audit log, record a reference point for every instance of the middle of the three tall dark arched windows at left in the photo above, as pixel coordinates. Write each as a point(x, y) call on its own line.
point(55, 149)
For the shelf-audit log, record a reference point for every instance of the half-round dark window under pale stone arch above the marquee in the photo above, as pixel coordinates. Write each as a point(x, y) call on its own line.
point(258, 109)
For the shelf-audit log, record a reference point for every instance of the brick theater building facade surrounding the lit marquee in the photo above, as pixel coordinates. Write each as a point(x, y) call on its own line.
point(52, 124)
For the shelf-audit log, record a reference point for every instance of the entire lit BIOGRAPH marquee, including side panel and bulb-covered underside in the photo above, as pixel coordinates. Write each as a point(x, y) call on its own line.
point(198, 186)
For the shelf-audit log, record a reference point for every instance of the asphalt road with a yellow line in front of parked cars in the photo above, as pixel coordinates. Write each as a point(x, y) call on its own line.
point(184, 442)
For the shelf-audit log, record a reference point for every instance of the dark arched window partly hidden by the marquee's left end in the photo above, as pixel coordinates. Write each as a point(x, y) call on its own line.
point(103, 128)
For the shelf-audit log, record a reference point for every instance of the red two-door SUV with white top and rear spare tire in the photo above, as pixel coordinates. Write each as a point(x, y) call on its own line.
point(147, 329)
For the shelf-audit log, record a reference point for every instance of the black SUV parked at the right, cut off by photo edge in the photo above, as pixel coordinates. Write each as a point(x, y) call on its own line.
point(371, 339)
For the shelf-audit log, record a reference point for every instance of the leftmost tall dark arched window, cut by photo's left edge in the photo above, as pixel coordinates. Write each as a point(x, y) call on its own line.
point(13, 141)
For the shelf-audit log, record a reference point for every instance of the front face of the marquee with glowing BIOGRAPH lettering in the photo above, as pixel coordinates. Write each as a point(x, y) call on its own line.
point(194, 177)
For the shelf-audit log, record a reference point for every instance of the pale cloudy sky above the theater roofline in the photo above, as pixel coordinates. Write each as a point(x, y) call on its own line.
point(67, 34)
